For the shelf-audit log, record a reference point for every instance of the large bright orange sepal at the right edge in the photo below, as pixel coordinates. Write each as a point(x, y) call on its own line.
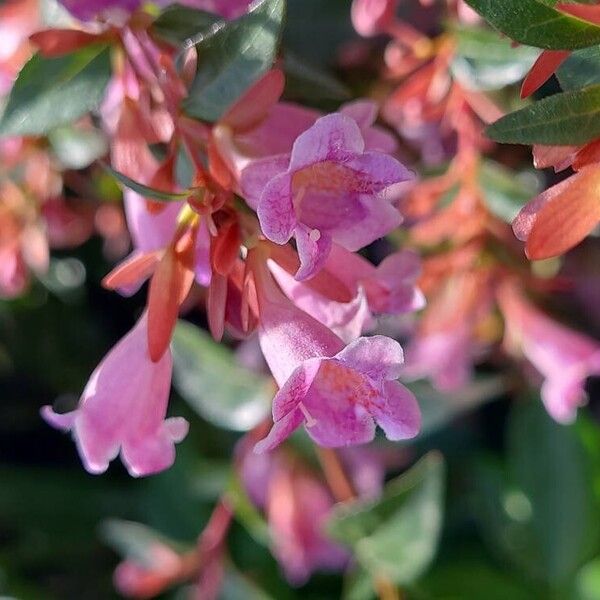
point(567, 219)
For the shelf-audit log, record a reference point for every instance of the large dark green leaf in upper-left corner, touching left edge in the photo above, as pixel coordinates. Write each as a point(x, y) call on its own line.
point(50, 92)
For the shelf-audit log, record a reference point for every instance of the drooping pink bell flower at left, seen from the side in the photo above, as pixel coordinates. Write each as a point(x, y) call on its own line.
point(122, 409)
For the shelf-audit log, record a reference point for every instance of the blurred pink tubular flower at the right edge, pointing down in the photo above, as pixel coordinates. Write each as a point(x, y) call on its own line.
point(564, 357)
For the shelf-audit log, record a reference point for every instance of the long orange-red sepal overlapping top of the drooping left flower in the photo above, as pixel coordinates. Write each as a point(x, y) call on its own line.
point(169, 287)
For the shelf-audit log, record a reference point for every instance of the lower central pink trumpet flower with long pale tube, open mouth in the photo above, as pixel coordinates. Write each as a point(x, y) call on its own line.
point(338, 392)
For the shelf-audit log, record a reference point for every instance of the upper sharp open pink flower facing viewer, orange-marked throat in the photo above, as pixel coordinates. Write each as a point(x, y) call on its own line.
point(331, 191)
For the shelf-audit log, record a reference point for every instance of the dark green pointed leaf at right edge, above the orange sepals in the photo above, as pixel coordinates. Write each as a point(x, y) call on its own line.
point(570, 118)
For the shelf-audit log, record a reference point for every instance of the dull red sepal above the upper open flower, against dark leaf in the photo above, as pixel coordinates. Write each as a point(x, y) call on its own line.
point(254, 105)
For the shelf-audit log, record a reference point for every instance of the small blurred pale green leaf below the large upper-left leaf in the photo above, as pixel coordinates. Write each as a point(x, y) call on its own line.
point(77, 148)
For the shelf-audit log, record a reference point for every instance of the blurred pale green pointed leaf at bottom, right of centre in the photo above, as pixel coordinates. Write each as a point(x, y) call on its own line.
point(396, 536)
